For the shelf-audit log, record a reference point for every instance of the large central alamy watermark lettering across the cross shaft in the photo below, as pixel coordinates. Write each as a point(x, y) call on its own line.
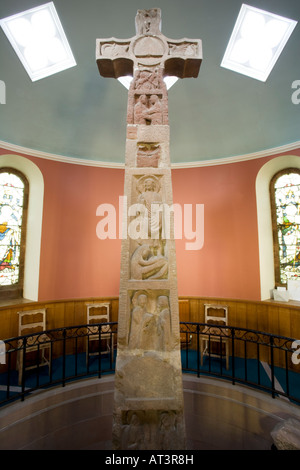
point(153, 221)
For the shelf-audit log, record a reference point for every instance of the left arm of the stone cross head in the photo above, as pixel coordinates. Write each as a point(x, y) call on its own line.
point(113, 57)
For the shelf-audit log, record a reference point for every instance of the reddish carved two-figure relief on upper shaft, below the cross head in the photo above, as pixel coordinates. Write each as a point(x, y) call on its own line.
point(148, 110)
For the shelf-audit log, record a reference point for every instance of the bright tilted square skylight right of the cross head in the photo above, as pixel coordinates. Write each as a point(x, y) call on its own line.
point(257, 41)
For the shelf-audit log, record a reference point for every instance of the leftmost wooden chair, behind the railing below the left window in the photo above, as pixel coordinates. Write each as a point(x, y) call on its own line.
point(30, 322)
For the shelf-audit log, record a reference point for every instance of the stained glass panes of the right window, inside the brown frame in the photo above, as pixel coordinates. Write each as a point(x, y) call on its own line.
point(287, 199)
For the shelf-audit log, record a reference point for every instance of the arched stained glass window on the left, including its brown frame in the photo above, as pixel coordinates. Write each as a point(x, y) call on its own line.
point(13, 212)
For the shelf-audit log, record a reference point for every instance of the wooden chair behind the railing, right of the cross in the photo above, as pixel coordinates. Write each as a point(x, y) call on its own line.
point(217, 317)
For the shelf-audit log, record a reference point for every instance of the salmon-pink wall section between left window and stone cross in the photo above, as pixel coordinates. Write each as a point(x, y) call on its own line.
point(75, 263)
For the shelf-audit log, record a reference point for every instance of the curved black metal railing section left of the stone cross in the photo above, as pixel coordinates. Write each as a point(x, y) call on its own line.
point(56, 357)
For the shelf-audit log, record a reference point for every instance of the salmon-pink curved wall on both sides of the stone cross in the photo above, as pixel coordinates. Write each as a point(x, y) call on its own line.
point(75, 263)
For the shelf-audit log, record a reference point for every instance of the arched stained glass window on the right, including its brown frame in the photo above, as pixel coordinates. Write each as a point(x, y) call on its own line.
point(285, 201)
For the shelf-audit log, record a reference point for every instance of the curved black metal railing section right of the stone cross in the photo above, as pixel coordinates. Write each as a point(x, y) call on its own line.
point(262, 360)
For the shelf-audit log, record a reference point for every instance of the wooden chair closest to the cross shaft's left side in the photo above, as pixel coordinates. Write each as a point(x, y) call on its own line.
point(99, 313)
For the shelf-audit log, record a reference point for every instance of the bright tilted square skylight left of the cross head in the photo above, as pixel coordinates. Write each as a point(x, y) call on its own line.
point(39, 41)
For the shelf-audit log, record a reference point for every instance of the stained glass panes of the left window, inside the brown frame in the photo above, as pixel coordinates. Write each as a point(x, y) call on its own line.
point(11, 214)
